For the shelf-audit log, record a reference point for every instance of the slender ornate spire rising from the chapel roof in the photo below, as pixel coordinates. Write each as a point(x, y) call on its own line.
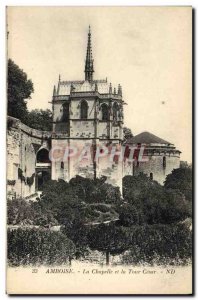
point(89, 60)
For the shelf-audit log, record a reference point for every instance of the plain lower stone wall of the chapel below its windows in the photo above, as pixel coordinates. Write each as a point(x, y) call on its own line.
point(82, 162)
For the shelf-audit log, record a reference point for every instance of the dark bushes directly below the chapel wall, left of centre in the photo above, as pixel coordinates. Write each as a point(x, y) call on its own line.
point(74, 200)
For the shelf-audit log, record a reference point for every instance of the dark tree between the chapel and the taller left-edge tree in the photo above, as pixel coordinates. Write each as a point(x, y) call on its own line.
point(40, 119)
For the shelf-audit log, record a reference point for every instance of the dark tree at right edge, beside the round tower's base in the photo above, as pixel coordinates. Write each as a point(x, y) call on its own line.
point(180, 179)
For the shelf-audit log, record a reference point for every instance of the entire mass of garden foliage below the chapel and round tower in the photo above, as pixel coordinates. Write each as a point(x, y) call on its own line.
point(142, 233)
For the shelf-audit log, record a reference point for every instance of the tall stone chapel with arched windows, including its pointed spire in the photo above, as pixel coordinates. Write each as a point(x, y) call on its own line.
point(87, 119)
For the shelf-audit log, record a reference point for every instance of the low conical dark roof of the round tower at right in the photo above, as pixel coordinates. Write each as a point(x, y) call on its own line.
point(147, 138)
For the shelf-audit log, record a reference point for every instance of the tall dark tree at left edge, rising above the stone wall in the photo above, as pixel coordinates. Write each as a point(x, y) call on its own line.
point(19, 89)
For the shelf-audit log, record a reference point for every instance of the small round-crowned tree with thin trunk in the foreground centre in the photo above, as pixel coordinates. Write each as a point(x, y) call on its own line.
point(108, 239)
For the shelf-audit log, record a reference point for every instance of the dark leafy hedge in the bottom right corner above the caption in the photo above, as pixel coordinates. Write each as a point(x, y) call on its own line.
point(159, 244)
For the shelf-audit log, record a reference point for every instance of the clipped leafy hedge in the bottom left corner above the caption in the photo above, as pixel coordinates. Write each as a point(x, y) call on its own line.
point(35, 247)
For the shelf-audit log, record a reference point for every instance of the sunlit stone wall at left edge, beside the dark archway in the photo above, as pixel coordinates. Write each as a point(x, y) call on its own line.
point(23, 143)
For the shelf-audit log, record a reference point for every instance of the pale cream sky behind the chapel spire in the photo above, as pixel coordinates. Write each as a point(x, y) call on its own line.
point(145, 49)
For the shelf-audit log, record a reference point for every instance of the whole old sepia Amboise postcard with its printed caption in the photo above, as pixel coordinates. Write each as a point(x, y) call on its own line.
point(99, 150)
